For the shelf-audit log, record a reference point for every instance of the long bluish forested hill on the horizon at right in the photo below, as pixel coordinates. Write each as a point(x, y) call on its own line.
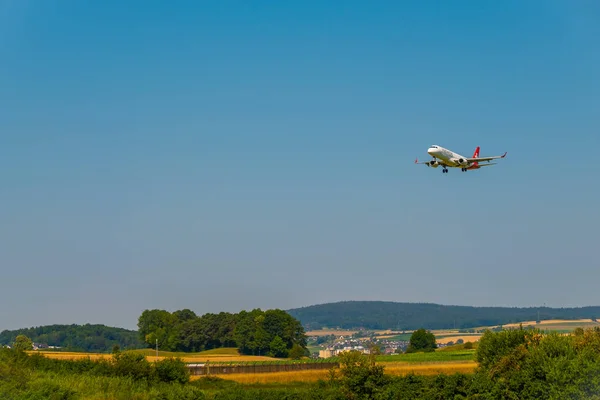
point(408, 316)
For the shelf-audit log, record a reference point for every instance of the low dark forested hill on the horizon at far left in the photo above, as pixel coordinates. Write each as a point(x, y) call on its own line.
point(88, 338)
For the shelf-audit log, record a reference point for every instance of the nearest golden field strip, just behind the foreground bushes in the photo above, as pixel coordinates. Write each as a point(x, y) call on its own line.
point(397, 369)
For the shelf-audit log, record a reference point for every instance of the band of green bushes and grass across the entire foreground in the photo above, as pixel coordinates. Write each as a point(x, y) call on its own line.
point(511, 364)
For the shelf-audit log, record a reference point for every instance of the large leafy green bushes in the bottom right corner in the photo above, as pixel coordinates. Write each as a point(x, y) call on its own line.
point(530, 364)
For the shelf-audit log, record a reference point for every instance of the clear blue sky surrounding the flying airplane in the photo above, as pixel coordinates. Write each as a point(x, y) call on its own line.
point(227, 155)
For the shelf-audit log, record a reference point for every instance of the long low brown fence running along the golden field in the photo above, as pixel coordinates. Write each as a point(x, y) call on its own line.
point(215, 369)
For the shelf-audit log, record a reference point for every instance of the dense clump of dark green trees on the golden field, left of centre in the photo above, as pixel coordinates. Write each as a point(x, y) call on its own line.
point(272, 332)
